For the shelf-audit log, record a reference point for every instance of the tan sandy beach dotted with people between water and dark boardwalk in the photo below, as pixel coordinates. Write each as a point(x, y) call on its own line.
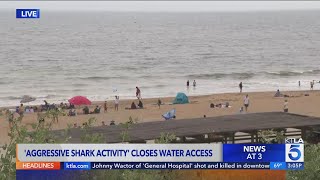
point(198, 107)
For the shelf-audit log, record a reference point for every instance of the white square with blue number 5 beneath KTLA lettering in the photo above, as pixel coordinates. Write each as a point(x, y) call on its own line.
point(295, 152)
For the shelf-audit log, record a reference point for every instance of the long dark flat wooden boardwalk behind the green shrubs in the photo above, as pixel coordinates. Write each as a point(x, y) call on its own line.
point(200, 127)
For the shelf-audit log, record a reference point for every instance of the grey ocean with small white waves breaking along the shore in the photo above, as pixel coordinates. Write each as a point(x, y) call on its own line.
point(102, 54)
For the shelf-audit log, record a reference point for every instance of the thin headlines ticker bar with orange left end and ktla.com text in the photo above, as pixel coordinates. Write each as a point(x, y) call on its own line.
point(158, 165)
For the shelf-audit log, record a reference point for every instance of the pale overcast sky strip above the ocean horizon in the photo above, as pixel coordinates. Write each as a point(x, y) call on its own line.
point(175, 6)
